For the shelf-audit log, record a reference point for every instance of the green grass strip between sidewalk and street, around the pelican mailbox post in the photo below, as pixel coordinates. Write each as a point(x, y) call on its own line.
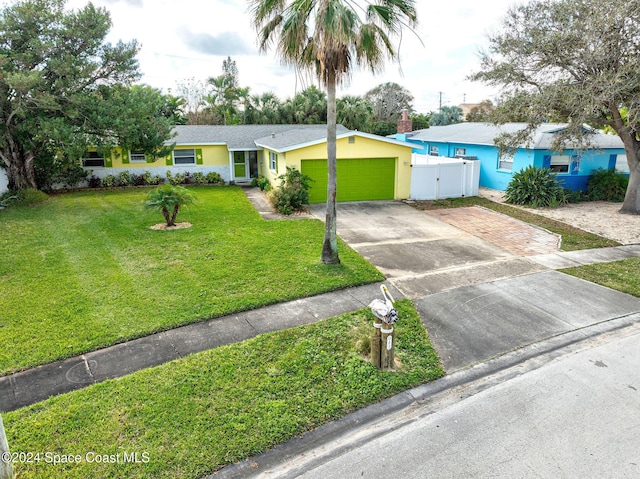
point(197, 414)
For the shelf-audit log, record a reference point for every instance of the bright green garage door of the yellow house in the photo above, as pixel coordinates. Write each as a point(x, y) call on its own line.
point(358, 180)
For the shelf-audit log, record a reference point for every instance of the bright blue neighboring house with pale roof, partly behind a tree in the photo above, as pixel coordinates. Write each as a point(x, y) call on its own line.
point(476, 141)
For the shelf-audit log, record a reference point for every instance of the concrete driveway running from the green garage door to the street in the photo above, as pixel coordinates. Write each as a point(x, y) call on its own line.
point(476, 299)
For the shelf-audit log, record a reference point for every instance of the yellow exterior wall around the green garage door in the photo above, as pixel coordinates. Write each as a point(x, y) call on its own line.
point(361, 148)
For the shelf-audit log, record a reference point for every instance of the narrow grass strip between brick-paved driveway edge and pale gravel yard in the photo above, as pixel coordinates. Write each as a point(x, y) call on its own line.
point(572, 238)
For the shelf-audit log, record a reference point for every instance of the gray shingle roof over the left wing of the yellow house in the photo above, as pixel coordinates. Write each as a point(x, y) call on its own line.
point(243, 137)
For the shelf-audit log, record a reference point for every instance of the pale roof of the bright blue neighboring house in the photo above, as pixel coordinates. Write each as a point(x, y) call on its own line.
point(484, 134)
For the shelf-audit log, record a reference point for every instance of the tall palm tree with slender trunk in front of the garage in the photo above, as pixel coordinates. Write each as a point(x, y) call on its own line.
point(330, 38)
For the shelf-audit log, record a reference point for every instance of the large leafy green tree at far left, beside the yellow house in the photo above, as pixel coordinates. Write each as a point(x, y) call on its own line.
point(58, 76)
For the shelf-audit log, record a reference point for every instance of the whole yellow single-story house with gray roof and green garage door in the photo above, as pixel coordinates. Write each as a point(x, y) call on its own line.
point(369, 167)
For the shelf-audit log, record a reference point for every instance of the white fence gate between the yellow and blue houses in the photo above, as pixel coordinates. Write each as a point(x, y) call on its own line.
point(437, 177)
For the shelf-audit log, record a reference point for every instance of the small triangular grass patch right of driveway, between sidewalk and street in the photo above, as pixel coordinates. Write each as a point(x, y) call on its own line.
point(621, 275)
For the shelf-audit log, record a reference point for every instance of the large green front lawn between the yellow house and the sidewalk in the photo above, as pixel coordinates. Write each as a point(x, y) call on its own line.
point(83, 270)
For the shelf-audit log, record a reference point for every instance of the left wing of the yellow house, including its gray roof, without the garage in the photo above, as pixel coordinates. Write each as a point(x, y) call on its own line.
point(228, 150)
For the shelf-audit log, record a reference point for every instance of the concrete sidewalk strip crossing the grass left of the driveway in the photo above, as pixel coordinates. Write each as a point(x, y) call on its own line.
point(36, 384)
